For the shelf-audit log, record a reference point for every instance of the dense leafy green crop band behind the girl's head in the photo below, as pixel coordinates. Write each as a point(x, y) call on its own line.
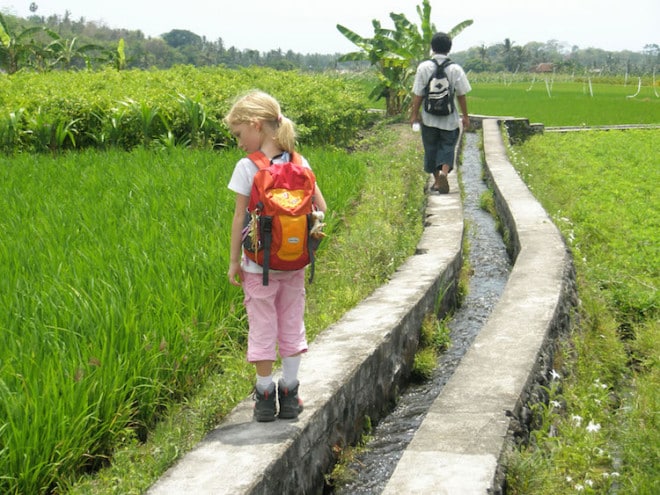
point(132, 108)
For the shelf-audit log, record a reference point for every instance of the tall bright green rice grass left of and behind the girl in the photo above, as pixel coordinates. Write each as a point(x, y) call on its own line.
point(114, 296)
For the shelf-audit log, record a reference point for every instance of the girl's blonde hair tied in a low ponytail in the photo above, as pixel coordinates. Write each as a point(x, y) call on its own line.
point(257, 106)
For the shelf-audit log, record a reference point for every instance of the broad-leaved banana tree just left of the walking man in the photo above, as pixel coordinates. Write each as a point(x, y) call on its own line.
point(396, 53)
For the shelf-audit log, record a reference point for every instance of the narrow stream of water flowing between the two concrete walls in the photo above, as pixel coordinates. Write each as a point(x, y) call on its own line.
point(490, 264)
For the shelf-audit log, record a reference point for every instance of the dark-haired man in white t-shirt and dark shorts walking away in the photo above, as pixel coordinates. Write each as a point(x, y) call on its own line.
point(440, 133)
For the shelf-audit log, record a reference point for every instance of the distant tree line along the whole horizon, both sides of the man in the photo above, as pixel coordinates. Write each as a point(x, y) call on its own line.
point(62, 42)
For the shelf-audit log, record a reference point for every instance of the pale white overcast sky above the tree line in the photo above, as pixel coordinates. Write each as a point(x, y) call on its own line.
point(309, 26)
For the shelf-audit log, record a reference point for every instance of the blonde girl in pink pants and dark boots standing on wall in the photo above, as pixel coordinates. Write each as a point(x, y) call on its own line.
point(275, 311)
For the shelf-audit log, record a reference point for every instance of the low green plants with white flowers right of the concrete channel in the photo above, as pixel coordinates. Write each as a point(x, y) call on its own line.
point(599, 431)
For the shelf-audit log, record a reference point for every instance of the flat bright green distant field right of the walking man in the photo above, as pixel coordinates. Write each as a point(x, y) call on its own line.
point(566, 103)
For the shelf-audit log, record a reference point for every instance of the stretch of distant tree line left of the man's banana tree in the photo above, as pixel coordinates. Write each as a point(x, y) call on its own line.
point(60, 42)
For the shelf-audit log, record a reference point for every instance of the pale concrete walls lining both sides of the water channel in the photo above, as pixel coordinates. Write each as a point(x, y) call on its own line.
point(355, 368)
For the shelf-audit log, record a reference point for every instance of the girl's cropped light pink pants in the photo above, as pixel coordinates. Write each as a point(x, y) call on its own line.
point(275, 314)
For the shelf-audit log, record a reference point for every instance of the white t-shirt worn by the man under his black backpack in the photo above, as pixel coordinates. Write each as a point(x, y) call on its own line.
point(457, 79)
